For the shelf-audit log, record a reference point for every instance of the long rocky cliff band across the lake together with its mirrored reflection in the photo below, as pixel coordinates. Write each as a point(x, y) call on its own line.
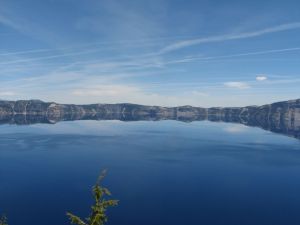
point(281, 117)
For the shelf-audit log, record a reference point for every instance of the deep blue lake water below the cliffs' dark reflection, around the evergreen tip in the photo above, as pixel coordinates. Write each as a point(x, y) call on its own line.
point(163, 173)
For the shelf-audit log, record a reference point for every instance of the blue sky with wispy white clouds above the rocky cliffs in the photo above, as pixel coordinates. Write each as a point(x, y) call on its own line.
point(159, 52)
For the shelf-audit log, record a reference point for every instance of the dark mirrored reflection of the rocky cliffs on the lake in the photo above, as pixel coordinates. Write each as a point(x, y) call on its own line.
point(287, 125)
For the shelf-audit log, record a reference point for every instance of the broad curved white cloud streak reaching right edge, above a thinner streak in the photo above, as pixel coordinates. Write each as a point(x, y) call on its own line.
point(227, 37)
